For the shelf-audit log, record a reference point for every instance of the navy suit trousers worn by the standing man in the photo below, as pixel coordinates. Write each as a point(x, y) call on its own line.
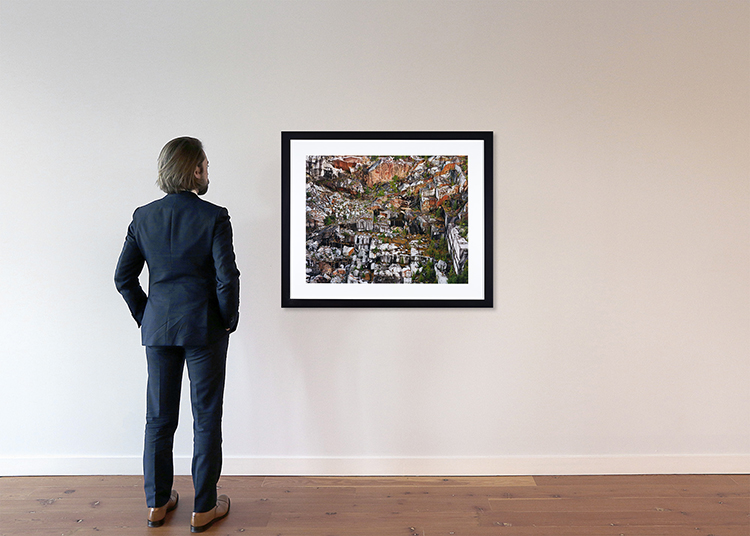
point(207, 373)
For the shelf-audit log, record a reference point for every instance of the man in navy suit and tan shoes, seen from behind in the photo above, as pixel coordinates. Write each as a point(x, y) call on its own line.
point(191, 308)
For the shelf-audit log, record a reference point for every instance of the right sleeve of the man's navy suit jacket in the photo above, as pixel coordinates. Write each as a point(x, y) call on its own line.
point(227, 274)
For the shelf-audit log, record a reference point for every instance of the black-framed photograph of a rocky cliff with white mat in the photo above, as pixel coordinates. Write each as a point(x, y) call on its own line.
point(386, 219)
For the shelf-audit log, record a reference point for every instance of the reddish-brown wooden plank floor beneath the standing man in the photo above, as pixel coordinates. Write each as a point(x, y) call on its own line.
point(656, 505)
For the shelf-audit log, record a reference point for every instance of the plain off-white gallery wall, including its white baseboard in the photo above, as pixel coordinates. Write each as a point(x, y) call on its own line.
point(619, 341)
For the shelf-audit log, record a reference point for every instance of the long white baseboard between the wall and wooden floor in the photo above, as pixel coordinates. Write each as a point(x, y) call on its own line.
point(382, 466)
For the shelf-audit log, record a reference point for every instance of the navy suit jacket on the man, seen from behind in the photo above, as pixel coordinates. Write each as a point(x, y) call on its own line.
point(194, 284)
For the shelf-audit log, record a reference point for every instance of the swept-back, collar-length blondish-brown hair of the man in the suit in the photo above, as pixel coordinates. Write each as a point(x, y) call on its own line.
point(177, 162)
